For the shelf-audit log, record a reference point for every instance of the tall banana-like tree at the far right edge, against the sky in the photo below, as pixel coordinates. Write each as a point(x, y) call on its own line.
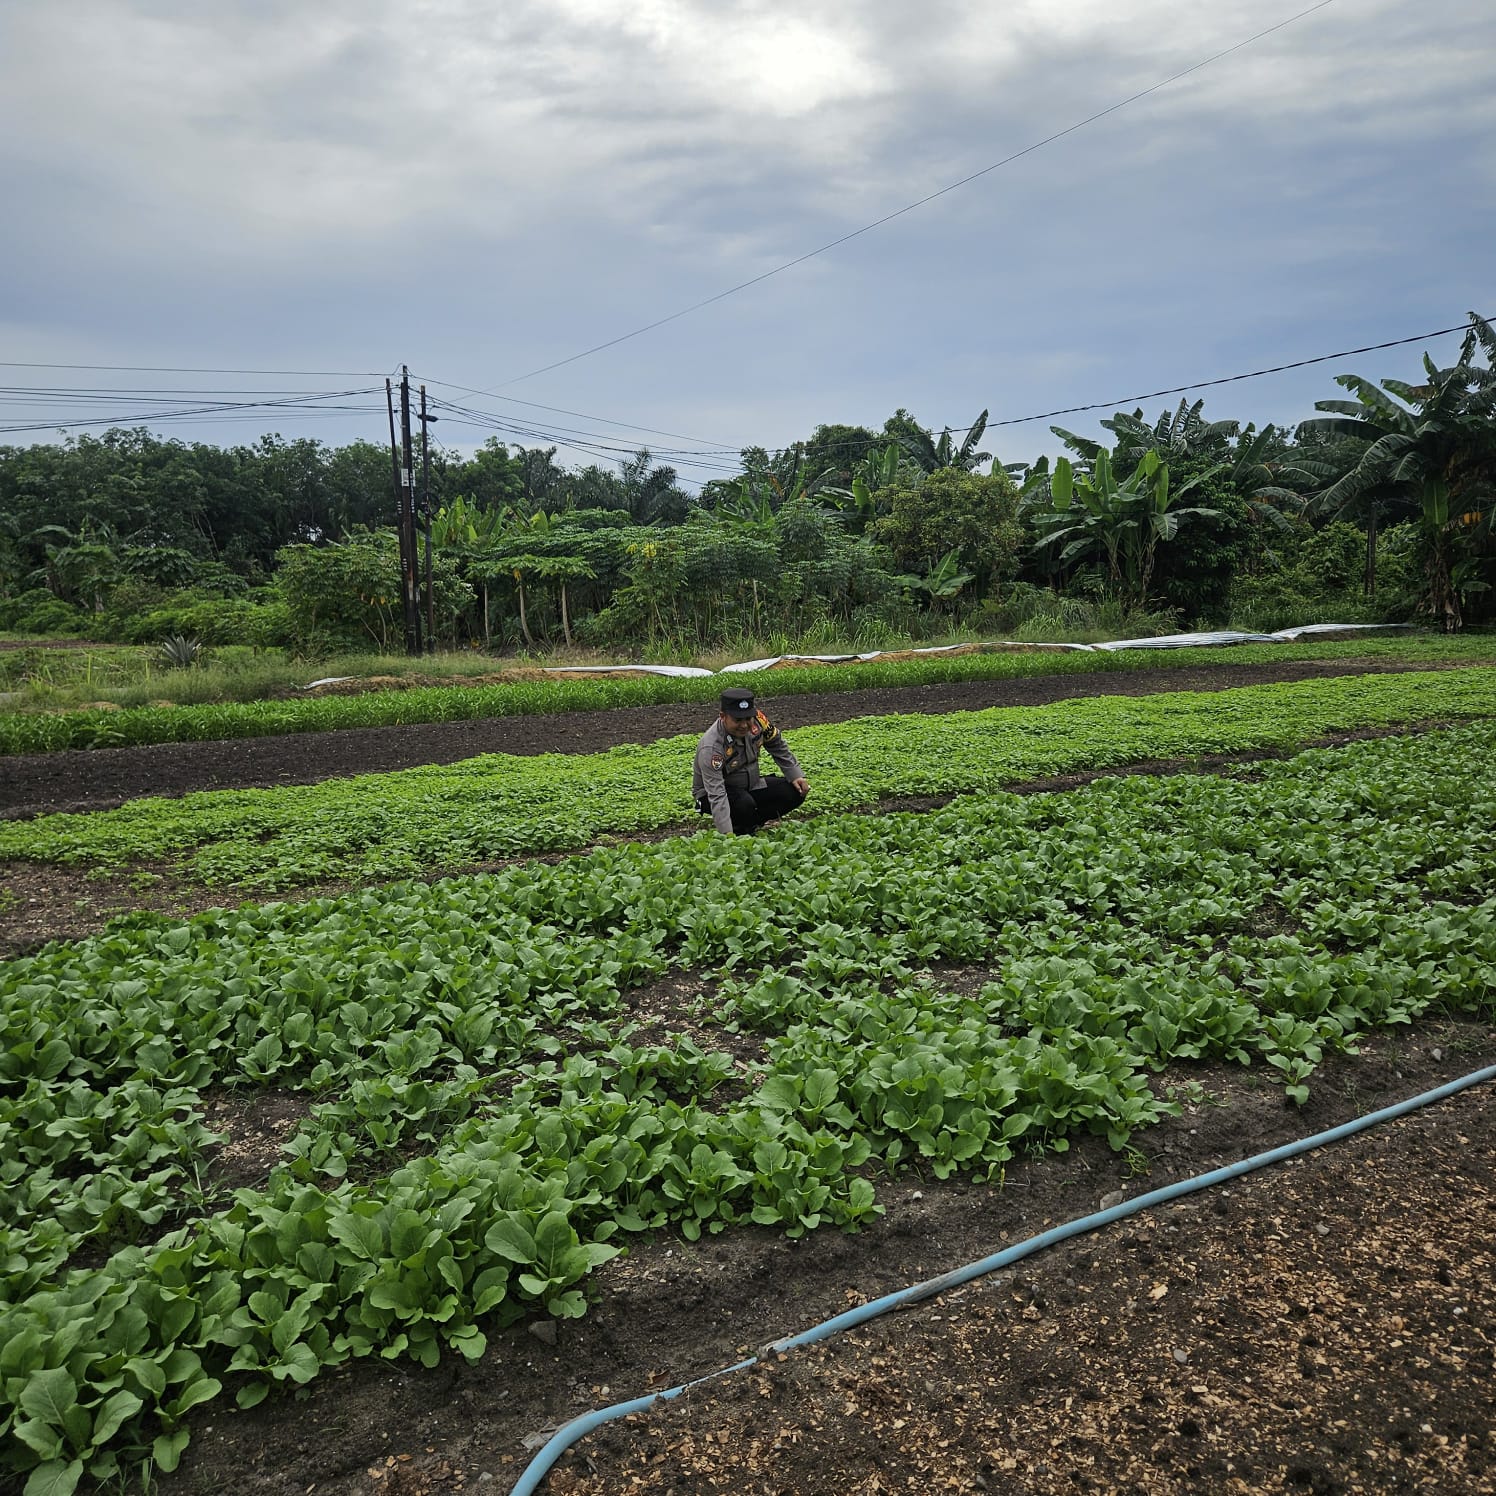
point(1431, 448)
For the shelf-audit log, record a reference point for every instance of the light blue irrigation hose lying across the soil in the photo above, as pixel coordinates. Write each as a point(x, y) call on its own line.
point(580, 1428)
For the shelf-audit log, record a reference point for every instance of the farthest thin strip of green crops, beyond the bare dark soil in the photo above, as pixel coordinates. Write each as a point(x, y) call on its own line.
point(98, 728)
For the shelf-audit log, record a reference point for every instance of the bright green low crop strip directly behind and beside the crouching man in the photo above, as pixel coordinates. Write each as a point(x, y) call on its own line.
point(497, 807)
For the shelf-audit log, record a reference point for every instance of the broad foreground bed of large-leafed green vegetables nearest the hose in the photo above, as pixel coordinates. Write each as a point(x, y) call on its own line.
point(487, 1124)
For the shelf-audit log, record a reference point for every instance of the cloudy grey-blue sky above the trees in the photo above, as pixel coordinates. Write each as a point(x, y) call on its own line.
point(481, 189)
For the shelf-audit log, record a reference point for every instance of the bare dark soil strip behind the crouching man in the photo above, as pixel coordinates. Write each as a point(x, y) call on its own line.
point(102, 779)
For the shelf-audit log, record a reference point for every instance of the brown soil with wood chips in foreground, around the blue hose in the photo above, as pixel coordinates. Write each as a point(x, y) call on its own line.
point(1325, 1326)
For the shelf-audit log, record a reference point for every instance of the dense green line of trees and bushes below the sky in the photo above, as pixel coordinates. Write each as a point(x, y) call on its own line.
point(1380, 506)
